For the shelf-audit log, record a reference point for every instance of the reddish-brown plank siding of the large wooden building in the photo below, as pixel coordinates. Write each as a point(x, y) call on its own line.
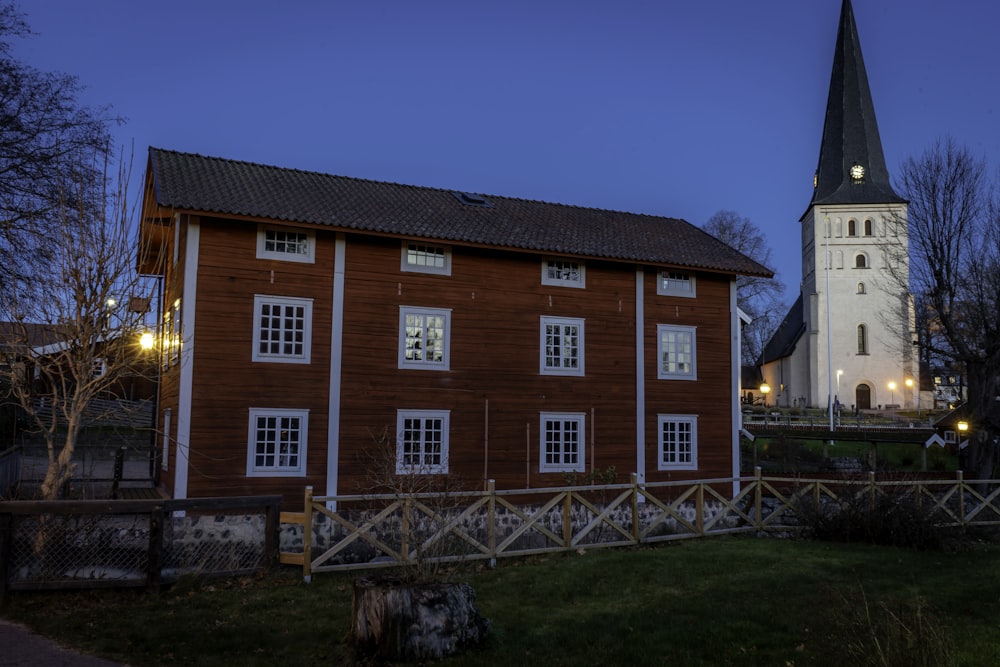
point(493, 389)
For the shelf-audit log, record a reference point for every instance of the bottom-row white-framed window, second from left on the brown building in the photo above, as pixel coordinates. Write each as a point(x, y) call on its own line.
point(422, 441)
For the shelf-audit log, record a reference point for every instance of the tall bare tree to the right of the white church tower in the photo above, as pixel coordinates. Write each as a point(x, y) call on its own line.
point(953, 225)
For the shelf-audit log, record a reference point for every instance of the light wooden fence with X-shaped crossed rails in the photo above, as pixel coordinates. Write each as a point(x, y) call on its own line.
point(355, 532)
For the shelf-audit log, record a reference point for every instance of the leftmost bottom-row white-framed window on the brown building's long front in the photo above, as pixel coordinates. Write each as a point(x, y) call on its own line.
point(277, 442)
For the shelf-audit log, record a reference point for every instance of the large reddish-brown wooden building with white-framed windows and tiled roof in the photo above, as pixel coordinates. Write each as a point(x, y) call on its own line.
point(308, 317)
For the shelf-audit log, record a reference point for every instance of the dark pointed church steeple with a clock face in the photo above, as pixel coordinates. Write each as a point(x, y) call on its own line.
point(851, 163)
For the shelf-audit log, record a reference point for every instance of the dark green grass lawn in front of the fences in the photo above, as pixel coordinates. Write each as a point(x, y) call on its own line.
point(715, 601)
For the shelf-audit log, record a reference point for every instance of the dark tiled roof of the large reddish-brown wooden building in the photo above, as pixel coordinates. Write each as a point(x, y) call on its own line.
point(185, 181)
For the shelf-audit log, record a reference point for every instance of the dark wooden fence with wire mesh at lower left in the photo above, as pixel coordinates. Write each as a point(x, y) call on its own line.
point(57, 544)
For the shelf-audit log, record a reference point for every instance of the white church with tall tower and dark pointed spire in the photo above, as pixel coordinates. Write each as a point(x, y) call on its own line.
point(848, 337)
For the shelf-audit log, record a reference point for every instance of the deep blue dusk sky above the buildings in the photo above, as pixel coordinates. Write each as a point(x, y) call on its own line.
point(662, 107)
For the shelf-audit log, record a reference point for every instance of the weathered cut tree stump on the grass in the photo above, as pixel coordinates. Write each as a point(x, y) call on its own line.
point(395, 620)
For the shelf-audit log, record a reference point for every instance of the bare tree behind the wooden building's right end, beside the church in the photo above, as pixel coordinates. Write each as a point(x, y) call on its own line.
point(760, 298)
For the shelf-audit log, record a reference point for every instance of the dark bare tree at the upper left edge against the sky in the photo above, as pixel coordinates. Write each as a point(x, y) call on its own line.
point(47, 140)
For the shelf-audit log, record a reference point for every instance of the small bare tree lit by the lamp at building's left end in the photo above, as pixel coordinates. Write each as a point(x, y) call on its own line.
point(72, 338)
